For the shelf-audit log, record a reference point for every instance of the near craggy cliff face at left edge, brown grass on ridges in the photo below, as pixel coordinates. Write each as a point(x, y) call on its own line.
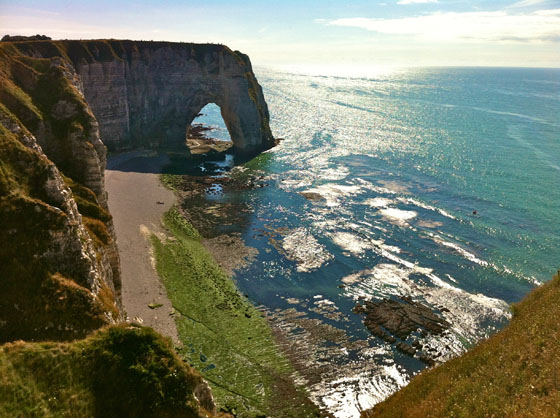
point(59, 263)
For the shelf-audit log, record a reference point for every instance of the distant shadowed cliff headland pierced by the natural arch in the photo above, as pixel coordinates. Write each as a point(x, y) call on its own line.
point(146, 94)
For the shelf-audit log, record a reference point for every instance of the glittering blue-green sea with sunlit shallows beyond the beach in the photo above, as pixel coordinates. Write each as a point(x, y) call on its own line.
point(437, 185)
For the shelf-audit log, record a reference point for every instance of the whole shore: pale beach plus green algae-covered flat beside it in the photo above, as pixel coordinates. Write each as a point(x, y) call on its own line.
point(166, 261)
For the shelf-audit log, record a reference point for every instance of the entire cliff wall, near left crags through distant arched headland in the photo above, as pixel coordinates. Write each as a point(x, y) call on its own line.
point(57, 100)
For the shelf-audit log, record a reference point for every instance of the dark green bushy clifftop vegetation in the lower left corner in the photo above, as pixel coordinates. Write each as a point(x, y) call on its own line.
point(120, 371)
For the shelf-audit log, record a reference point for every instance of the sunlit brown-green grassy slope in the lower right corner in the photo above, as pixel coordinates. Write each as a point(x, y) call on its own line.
point(514, 373)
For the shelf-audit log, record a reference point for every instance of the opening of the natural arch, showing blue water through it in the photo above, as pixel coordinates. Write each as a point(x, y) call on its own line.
point(208, 132)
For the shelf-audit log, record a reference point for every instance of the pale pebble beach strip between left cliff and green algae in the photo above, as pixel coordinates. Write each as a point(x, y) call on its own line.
point(137, 201)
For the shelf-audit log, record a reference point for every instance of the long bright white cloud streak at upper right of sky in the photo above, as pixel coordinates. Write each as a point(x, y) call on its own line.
point(470, 26)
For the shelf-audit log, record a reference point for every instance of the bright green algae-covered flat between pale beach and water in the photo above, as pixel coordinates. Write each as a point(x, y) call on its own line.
point(224, 336)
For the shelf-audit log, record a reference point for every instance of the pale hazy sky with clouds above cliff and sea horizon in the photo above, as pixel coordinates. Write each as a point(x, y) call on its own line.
point(341, 33)
